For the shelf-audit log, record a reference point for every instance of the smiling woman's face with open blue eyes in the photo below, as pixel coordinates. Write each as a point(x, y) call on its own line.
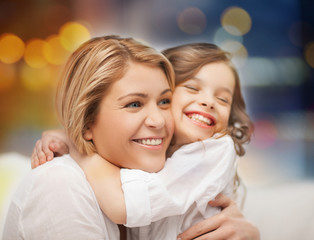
point(134, 125)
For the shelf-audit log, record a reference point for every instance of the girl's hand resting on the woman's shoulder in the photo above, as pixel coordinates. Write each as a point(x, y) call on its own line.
point(53, 143)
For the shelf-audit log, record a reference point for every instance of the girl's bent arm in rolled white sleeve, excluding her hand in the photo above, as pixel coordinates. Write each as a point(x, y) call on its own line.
point(150, 197)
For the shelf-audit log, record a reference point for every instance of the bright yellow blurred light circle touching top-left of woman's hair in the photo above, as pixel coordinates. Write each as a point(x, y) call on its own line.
point(72, 35)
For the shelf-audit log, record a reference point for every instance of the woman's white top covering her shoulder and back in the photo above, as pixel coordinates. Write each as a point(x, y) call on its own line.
point(55, 201)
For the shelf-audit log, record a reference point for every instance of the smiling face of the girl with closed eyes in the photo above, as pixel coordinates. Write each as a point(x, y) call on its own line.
point(201, 105)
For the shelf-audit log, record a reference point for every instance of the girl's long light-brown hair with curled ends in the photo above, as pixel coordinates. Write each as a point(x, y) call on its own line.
point(187, 60)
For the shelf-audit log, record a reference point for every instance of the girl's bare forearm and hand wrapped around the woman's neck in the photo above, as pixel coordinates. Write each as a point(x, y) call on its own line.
point(103, 176)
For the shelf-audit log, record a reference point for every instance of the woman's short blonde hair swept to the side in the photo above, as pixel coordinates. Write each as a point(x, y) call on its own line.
point(89, 72)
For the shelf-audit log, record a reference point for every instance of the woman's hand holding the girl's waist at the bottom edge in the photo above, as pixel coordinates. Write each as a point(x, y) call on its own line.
point(230, 224)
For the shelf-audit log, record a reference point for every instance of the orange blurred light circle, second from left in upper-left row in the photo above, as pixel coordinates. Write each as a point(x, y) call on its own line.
point(34, 53)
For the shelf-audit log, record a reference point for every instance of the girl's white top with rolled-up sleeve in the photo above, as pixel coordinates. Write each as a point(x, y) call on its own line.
point(194, 175)
